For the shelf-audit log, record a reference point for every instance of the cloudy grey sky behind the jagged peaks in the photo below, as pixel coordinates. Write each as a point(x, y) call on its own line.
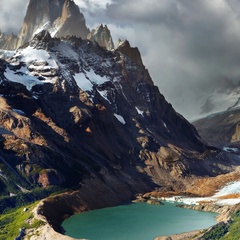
point(190, 47)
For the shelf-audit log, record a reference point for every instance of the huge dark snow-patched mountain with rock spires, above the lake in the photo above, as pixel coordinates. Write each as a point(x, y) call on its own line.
point(77, 115)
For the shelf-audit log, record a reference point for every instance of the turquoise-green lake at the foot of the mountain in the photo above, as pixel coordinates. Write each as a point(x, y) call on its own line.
point(139, 221)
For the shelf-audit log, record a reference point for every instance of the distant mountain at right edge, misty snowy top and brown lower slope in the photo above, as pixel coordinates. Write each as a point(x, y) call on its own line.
point(218, 123)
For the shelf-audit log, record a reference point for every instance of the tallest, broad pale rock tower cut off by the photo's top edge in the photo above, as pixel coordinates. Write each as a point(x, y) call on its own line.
point(59, 17)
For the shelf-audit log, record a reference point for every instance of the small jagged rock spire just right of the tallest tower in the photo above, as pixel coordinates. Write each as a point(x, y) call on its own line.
point(102, 36)
